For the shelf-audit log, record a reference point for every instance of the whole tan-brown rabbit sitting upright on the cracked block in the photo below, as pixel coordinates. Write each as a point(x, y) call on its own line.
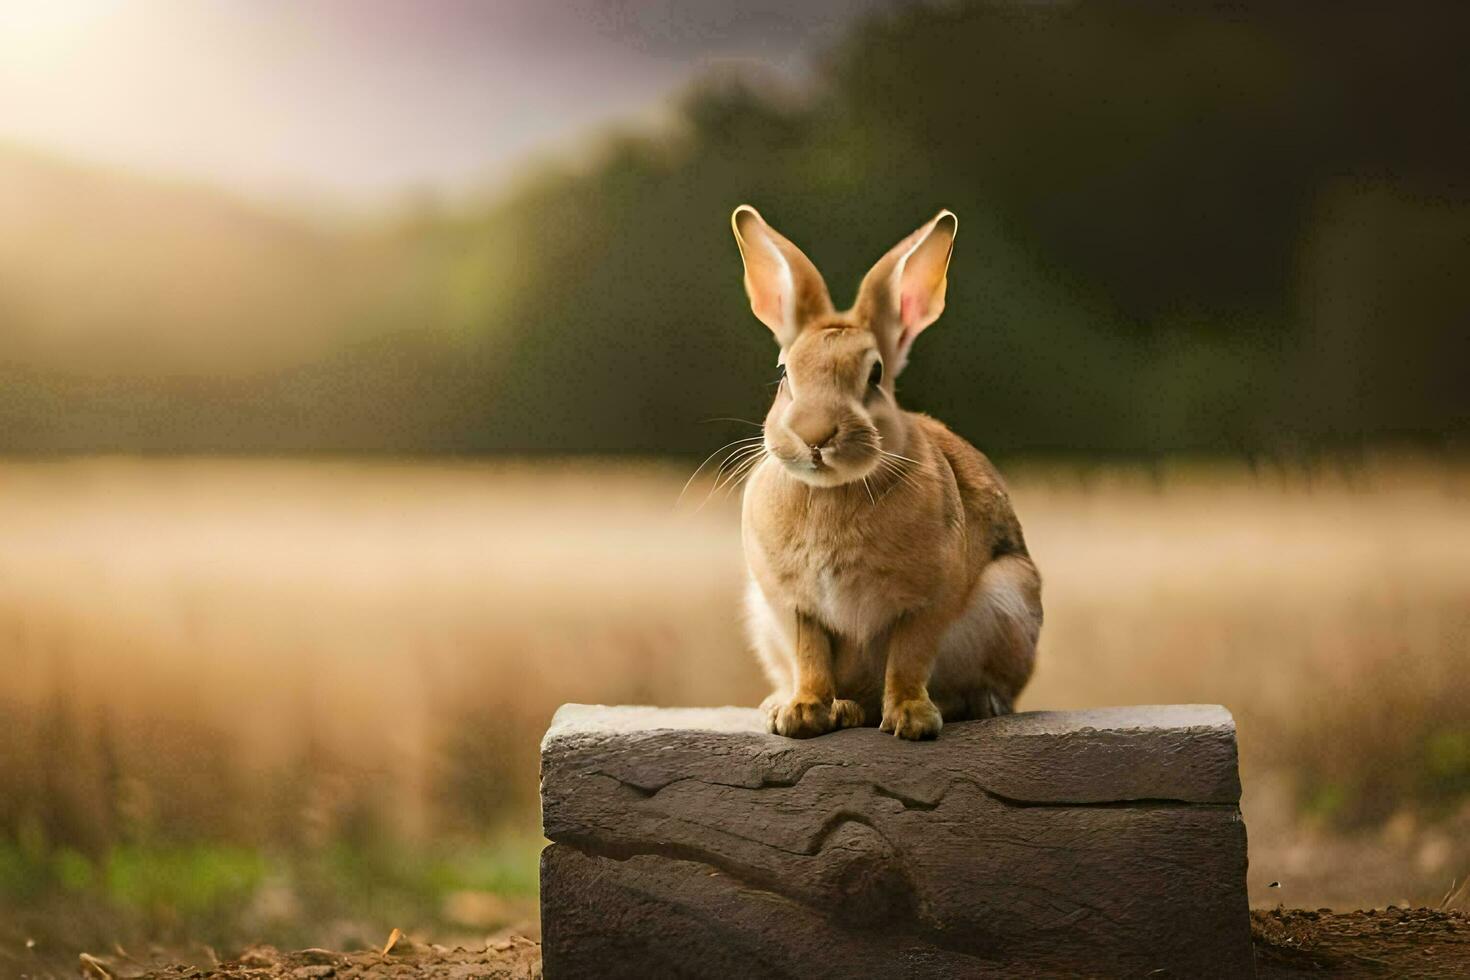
point(889, 574)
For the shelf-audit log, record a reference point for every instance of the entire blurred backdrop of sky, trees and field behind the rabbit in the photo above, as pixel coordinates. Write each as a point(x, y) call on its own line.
point(354, 356)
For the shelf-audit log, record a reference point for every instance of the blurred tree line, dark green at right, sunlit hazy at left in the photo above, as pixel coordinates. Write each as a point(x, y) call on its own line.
point(1236, 230)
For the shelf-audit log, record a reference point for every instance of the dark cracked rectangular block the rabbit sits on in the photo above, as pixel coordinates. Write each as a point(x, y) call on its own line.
point(692, 844)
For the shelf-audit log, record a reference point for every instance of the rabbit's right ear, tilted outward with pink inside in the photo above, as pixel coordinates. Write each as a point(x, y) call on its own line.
point(903, 293)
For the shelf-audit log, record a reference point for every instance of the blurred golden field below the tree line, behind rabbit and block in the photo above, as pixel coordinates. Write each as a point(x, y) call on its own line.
point(301, 700)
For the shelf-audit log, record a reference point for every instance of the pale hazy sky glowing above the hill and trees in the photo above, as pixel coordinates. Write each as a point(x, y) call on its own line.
point(362, 96)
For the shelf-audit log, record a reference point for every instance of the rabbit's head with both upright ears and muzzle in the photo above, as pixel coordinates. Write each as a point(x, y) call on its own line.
point(834, 415)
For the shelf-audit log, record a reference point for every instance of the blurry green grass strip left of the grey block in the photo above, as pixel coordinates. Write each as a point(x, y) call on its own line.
point(207, 891)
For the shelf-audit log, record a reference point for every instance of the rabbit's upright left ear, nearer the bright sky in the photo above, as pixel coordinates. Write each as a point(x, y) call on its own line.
point(786, 290)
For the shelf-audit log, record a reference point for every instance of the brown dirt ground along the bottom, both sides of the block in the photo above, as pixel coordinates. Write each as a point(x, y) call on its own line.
point(1290, 944)
